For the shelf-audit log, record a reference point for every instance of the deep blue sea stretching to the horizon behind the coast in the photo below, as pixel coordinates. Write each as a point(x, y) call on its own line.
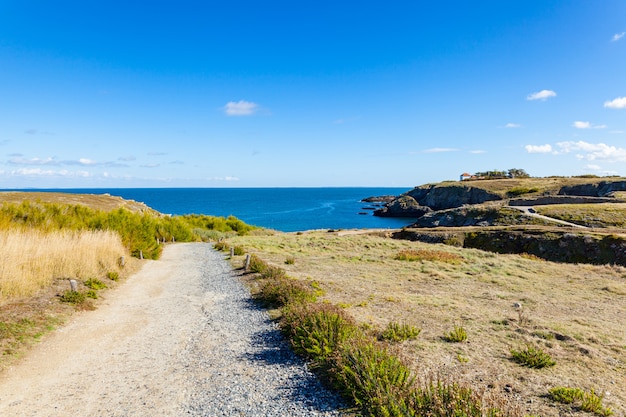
point(284, 209)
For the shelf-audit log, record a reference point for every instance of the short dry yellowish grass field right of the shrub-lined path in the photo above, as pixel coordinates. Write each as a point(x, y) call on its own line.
point(575, 313)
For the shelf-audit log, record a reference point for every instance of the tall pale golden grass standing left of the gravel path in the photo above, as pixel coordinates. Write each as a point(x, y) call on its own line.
point(32, 260)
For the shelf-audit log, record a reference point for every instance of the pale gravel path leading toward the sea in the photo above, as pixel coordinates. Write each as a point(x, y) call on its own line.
point(180, 338)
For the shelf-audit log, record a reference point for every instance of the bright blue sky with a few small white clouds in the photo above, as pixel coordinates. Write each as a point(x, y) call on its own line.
point(284, 93)
